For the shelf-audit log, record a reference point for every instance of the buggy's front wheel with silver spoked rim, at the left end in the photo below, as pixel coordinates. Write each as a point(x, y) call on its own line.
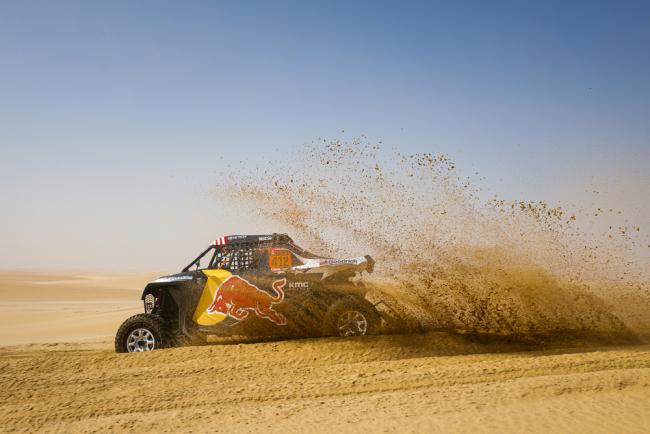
point(152, 334)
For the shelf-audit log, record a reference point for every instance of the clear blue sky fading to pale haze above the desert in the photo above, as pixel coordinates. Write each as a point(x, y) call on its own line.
point(109, 111)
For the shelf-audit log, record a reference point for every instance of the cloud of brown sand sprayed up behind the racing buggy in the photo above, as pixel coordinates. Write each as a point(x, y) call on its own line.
point(450, 256)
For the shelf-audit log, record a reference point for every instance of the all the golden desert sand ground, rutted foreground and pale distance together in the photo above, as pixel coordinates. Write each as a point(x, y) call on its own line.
point(59, 373)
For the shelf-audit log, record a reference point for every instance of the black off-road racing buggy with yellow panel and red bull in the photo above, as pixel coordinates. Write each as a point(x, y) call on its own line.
point(252, 285)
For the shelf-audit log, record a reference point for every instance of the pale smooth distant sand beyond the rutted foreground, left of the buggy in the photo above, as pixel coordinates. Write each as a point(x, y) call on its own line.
point(66, 307)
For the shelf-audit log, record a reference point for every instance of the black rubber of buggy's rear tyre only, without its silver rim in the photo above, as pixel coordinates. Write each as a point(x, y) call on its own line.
point(342, 308)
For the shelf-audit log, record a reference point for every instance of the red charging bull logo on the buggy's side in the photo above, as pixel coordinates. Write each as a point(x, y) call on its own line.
point(236, 297)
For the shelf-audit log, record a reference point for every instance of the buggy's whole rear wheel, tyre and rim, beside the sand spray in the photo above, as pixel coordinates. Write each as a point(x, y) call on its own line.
point(351, 316)
